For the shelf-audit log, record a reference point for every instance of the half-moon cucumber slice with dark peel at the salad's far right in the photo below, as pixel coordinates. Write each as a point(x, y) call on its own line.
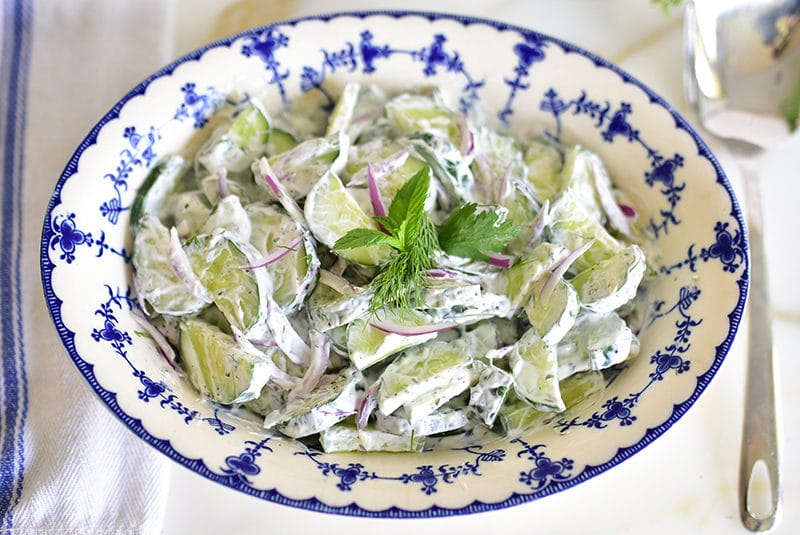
point(611, 283)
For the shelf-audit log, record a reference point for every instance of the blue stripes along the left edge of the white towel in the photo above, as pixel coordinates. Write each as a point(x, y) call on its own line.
point(14, 60)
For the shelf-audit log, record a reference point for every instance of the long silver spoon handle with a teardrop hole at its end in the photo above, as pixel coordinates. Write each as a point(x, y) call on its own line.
point(761, 432)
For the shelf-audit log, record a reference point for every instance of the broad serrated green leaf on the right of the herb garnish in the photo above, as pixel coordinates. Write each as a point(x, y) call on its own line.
point(471, 233)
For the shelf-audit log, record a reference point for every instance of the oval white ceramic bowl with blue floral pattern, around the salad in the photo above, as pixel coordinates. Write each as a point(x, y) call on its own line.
point(517, 78)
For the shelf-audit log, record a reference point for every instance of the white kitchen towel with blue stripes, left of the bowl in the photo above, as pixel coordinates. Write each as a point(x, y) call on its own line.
point(68, 465)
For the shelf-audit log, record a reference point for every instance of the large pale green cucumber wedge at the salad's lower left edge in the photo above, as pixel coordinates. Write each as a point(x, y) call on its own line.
point(217, 366)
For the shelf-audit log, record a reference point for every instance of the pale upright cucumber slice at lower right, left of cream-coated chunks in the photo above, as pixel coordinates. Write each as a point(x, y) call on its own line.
point(535, 370)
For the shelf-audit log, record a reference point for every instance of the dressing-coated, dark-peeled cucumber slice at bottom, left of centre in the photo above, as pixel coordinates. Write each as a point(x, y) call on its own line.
point(333, 399)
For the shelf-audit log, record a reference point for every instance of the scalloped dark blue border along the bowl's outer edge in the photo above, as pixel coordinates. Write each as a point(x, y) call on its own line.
point(314, 504)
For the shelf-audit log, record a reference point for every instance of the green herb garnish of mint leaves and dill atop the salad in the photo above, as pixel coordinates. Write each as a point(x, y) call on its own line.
point(468, 232)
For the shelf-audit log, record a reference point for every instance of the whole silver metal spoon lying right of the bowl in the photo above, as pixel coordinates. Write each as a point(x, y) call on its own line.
point(742, 63)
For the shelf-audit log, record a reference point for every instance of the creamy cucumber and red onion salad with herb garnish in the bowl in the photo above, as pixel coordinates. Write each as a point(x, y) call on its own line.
point(387, 274)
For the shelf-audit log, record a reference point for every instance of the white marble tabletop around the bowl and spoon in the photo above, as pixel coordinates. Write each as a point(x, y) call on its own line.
point(685, 482)
